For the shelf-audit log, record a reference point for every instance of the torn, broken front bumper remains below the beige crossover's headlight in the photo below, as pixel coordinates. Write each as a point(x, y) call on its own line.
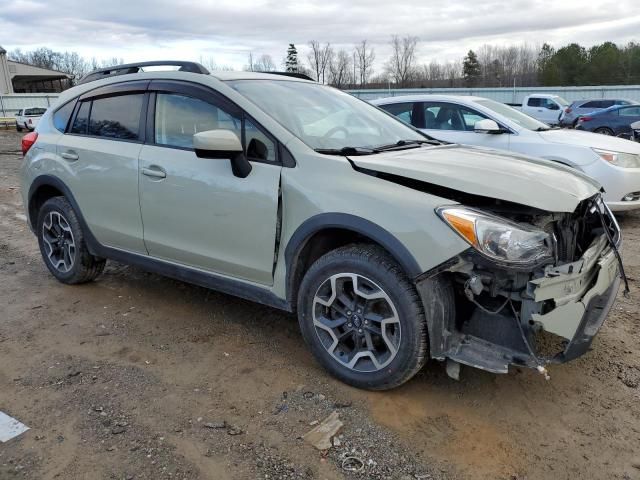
point(558, 316)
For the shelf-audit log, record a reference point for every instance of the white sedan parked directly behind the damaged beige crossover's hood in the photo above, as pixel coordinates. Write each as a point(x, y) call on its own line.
point(613, 162)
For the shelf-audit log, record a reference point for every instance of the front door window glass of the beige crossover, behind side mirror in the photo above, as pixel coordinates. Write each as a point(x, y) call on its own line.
point(179, 117)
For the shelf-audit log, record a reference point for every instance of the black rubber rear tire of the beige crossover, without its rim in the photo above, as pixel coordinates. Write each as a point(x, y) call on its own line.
point(84, 267)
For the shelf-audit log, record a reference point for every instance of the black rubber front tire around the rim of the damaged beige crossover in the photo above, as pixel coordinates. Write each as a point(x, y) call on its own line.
point(372, 263)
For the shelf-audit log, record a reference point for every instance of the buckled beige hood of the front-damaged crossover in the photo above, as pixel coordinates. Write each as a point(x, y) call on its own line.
point(515, 178)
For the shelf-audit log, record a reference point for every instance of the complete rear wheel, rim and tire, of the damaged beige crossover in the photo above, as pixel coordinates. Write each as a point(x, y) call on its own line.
point(62, 243)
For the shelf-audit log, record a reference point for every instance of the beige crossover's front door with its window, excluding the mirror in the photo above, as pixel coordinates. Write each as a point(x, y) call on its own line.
point(195, 211)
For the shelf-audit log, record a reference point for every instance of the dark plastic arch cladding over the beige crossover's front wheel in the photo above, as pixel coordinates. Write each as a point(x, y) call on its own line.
point(325, 232)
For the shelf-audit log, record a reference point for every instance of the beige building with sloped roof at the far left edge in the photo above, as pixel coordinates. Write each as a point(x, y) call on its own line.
point(16, 77)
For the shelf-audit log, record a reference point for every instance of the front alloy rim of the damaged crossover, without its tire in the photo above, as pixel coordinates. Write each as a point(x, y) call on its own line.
point(356, 322)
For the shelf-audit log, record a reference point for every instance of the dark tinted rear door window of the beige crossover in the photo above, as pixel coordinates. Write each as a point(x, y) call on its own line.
point(116, 117)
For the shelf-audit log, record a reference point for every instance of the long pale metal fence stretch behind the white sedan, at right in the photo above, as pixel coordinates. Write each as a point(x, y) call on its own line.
point(511, 95)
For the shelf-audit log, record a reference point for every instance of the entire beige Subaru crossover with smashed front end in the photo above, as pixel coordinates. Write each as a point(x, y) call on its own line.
point(390, 247)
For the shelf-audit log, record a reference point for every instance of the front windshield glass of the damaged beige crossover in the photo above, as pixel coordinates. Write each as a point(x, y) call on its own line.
point(323, 117)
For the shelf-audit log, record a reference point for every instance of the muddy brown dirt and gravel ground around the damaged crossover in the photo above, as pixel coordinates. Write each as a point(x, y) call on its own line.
point(136, 376)
